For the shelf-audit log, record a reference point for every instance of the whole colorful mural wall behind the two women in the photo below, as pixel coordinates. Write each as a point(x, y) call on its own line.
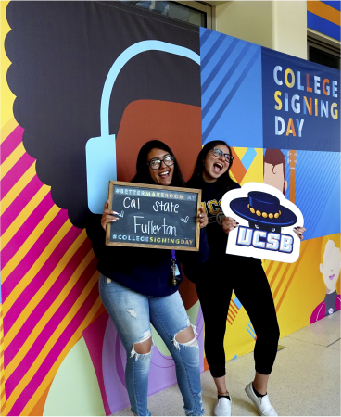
point(192, 86)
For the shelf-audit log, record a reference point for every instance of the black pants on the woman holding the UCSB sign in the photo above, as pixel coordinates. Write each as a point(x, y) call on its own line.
point(215, 283)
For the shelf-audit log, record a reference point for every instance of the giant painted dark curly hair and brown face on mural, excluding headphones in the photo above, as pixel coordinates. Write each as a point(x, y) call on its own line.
point(60, 62)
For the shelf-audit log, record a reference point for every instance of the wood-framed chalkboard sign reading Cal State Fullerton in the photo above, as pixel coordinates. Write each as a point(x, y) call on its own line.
point(154, 216)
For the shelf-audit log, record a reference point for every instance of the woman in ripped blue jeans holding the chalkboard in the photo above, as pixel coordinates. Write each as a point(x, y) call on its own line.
point(136, 288)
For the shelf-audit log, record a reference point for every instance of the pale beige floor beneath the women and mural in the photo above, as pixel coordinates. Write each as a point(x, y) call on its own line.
point(305, 379)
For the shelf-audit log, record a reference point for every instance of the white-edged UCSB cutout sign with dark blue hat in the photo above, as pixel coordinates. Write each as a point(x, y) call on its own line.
point(266, 223)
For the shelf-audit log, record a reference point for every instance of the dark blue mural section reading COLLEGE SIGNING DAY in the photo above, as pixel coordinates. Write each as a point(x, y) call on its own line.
point(301, 103)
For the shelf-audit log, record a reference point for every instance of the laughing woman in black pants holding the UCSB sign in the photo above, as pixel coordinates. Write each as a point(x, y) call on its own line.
point(223, 273)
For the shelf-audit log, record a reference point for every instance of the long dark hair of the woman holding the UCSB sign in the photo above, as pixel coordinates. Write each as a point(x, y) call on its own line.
point(224, 183)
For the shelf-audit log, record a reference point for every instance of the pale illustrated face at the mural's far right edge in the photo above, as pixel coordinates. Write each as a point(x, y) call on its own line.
point(331, 265)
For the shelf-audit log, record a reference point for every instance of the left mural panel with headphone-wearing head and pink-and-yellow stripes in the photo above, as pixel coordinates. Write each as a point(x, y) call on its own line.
point(72, 115)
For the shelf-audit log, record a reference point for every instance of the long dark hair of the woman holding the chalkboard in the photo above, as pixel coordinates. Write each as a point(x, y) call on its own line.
point(142, 169)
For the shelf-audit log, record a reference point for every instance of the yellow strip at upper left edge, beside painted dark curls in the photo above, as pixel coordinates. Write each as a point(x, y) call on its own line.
point(7, 98)
